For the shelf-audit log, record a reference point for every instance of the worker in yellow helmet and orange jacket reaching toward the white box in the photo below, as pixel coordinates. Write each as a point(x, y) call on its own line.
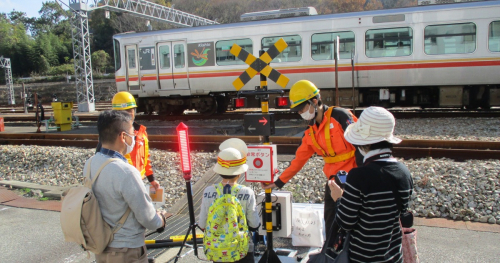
point(325, 137)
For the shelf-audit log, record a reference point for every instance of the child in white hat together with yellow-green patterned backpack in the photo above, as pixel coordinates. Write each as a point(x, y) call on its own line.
point(228, 209)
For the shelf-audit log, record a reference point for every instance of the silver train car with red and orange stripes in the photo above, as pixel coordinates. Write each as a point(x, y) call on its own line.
point(427, 56)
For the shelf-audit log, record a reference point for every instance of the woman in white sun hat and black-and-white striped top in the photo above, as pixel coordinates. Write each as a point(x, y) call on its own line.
point(376, 193)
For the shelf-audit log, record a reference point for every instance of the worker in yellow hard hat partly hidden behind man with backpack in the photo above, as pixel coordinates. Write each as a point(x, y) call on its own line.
point(139, 155)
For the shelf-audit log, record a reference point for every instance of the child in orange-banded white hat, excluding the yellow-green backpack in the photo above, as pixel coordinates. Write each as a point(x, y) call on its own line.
point(231, 163)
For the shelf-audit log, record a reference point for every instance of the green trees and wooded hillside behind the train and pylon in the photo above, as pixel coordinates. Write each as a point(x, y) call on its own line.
point(47, 48)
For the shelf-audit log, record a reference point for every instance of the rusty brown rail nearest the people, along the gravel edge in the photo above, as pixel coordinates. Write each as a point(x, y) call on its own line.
point(457, 150)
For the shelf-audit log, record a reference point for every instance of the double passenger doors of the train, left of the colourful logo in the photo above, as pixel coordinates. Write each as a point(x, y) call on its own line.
point(172, 71)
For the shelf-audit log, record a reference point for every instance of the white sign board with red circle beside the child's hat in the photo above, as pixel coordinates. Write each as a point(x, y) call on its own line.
point(262, 161)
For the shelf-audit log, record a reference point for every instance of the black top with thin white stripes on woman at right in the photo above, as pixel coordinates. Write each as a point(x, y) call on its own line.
point(369, 209)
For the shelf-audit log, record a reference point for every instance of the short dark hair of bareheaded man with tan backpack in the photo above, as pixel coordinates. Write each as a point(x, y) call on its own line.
point(111, 123)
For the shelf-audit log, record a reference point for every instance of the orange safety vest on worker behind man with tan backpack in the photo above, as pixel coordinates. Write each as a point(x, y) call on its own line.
point(139, 157)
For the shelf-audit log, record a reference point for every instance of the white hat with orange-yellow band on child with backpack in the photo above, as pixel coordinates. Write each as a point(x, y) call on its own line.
point(231, 161)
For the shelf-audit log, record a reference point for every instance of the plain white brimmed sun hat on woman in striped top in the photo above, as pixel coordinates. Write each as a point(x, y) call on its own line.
point(375, 124)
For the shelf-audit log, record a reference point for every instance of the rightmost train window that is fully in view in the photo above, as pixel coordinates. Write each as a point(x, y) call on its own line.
point(450, 39)
